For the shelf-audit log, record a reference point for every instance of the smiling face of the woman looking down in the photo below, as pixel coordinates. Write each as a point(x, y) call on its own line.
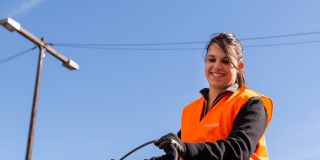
point(219, 71)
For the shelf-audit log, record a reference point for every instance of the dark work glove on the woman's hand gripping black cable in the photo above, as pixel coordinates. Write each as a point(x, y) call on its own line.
point(165, 141)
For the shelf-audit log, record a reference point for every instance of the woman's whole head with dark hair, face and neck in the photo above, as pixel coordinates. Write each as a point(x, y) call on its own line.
point(224, 64)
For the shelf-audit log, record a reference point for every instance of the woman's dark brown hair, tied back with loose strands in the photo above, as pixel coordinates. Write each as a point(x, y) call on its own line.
point(230, 44)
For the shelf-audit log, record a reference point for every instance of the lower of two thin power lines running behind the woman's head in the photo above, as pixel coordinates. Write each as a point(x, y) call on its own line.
point(252, 46)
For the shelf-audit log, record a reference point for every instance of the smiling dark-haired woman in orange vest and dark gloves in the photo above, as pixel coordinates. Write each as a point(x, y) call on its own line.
point(229, 120)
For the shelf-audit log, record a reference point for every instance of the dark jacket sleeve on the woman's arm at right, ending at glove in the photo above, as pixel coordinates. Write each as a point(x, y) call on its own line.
point(249, 125)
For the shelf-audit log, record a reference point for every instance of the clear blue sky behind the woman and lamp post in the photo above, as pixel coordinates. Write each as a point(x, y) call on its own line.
point(120, 99)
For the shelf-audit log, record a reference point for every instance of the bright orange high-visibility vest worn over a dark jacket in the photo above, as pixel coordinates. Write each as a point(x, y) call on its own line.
point(218, 122)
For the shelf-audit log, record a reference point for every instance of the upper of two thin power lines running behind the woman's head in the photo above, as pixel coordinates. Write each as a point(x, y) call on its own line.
point(184, 43)
